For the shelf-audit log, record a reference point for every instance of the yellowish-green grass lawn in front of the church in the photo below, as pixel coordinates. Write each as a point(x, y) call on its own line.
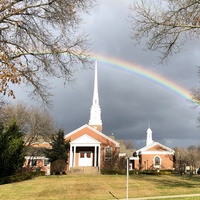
point(100, 187)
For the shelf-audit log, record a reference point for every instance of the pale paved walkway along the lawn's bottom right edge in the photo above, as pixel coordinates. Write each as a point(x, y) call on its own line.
point(164, 197)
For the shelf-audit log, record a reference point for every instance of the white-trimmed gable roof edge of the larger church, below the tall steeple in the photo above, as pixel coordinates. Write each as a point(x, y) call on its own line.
point(94, 130)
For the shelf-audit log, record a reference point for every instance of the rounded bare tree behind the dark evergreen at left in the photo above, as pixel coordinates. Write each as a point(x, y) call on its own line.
point(36, 123)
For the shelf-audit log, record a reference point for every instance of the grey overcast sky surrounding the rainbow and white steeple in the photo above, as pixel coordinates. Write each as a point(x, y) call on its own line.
point(127, 100)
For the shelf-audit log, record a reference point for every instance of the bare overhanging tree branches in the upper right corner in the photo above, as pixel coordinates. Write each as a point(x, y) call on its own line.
point(166, 25)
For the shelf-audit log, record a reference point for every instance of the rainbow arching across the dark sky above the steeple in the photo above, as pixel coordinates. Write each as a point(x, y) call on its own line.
point(145, 73)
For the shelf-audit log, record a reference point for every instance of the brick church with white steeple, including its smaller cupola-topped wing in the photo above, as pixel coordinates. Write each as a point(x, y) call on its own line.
point(92, 150)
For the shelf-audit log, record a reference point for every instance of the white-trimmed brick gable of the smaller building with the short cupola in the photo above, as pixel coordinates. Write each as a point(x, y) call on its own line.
point(149, 149)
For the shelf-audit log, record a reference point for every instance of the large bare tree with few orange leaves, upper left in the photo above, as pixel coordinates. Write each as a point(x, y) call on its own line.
point(40, 39)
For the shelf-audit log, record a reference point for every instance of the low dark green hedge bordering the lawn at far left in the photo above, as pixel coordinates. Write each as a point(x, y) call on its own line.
point(20, 177)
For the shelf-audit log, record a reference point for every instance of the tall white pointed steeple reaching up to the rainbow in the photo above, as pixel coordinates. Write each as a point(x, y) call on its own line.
point(95, 110)
